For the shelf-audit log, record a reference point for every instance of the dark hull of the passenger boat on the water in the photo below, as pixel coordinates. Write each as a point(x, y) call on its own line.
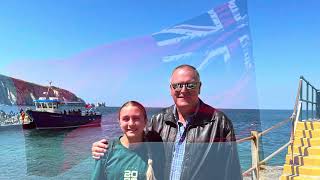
point(49, 120)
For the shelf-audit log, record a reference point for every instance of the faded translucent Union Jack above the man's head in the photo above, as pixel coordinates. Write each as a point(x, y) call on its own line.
point(213, 34)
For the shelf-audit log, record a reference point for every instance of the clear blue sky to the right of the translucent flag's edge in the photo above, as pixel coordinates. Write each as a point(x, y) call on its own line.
point(285, 37)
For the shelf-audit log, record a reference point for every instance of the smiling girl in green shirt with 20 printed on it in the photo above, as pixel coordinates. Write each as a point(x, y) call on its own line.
point(128, 157)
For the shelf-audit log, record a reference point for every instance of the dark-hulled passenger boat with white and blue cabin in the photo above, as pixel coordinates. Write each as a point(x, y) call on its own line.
point(55, 113)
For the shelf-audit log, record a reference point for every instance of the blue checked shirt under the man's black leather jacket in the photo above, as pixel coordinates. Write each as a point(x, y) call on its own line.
point(179, 147)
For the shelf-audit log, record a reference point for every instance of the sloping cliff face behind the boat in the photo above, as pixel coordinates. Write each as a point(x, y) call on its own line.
point(17, 92)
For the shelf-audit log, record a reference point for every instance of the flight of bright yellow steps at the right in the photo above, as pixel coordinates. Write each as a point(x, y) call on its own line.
point(306, 153)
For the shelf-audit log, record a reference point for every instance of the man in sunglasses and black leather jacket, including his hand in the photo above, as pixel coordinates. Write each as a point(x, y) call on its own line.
point(199, 140)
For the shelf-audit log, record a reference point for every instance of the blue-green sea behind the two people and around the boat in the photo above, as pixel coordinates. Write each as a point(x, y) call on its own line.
point(66, 154)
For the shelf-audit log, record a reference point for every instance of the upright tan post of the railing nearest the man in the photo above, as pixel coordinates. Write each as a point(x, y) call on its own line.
point(255, 154)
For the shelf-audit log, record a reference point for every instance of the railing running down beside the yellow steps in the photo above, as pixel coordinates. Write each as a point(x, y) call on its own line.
point(310, 97)
